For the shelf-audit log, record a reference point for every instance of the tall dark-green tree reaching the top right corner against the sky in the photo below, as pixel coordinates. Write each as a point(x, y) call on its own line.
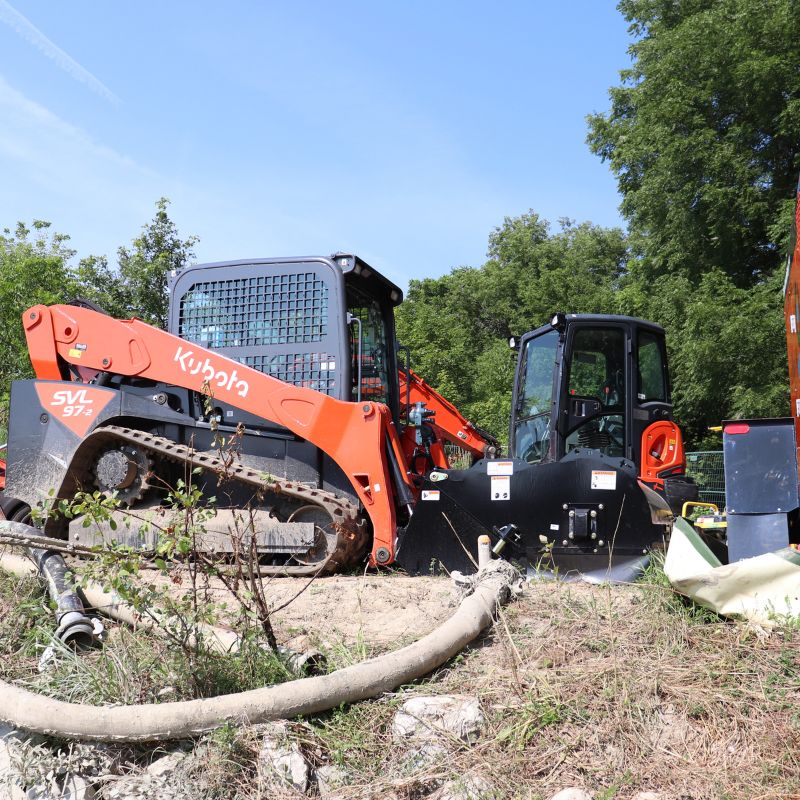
point(702, 134)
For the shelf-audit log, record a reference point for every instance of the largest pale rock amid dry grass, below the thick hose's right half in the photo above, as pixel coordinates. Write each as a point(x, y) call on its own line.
point(429, 716)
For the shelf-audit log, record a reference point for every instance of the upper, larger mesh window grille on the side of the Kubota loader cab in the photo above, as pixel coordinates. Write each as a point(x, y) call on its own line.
point(255, 311)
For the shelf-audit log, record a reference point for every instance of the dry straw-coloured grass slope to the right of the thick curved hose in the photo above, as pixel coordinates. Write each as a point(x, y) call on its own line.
point(616, 690)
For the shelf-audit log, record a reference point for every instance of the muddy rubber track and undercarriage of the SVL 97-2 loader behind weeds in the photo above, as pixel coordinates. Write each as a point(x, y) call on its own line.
point(302, 530)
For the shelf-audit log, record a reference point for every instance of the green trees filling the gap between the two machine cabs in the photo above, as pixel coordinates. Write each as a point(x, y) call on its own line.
point(458, 326)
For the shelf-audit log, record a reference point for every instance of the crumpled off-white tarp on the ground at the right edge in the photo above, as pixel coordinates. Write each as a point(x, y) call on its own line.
point(759, 589)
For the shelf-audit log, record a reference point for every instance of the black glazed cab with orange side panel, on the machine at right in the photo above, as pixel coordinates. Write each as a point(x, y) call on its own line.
point(596, 382)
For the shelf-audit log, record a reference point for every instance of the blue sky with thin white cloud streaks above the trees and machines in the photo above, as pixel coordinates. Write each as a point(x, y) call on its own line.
point(404, 132)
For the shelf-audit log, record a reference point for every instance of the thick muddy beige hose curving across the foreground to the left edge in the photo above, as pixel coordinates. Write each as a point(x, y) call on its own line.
point(44, 715)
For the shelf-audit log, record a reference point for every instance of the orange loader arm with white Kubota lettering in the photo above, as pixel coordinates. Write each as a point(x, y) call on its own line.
point(352, 434)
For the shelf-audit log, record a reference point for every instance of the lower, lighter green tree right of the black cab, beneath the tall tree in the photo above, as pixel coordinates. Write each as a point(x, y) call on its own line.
point(726, 346)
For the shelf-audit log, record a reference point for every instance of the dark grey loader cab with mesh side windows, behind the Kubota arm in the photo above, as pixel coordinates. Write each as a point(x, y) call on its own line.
point(325, 323)
